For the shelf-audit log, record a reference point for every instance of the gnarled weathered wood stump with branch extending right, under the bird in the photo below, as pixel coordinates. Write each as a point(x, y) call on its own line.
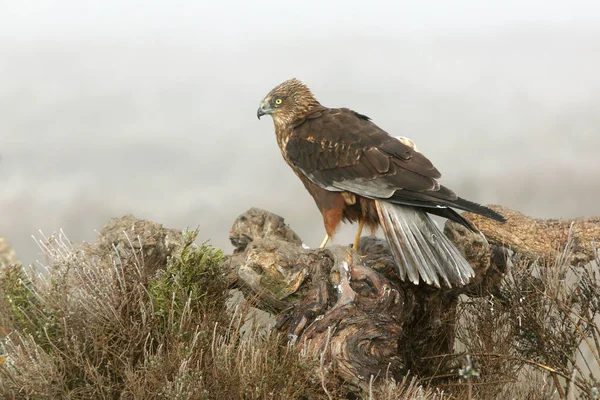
point(353, 304)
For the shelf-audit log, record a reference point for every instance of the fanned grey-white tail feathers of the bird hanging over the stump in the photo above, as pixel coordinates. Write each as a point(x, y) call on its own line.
point(420, 249)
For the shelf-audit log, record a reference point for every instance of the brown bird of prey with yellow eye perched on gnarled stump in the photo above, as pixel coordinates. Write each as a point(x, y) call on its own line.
point(357, 172)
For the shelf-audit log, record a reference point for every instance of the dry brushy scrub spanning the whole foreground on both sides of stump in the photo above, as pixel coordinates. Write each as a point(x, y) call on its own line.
point(100, 323)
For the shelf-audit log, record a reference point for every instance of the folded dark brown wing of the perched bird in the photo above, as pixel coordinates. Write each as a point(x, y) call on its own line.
point(341, 150)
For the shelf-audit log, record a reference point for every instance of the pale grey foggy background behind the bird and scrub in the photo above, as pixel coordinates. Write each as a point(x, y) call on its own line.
point(116, 107)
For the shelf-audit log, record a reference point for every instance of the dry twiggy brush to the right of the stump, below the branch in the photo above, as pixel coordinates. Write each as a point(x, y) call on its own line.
point(526, 342)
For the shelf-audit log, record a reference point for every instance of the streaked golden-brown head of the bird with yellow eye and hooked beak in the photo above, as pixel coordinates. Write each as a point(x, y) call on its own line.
point(287, 102)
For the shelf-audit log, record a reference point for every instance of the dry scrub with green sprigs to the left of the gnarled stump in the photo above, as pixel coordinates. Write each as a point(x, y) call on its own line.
point(94, 326)
